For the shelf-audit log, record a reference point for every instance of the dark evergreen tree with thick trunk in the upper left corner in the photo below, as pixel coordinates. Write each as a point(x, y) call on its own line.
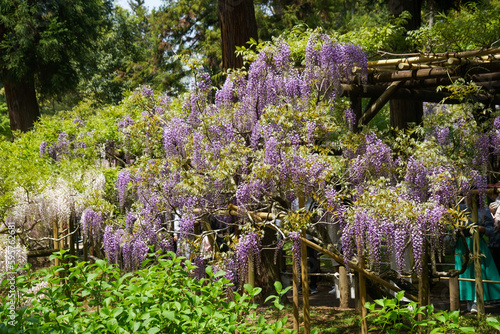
point(44, 45)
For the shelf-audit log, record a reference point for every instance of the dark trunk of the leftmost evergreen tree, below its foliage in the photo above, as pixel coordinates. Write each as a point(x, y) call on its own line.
point(22, 103)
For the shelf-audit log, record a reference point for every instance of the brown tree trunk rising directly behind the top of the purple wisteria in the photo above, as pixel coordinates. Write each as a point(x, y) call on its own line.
point(238, 25)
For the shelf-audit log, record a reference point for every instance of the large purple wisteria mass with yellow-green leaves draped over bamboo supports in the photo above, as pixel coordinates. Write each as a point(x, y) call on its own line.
point(259, 143)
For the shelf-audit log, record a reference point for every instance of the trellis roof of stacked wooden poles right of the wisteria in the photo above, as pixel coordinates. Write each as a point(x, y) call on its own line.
point(417, 77)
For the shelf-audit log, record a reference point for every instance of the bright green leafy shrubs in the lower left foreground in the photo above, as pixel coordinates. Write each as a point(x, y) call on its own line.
point(162, 297)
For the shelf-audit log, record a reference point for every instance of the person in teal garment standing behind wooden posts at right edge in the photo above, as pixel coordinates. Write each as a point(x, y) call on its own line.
point(489, 270)
